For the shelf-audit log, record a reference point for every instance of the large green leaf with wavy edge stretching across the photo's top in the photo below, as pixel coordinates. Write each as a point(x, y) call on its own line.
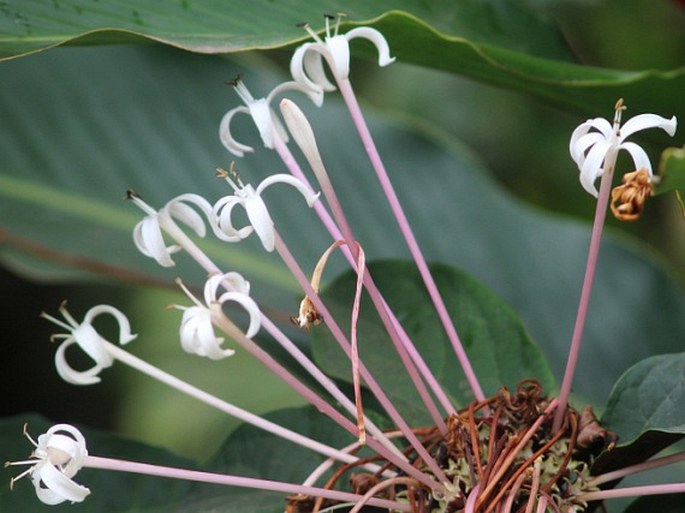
point(497, 42)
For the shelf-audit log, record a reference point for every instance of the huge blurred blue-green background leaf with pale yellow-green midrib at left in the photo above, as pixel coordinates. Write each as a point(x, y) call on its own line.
point(73, 150)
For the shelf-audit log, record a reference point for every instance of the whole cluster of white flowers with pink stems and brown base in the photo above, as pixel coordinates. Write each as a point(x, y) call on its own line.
point(514, 451)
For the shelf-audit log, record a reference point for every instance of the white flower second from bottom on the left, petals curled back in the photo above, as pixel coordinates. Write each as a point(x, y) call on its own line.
point(88, 339)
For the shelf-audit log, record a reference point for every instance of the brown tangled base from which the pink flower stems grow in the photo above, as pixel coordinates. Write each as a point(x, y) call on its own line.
point(502, 449)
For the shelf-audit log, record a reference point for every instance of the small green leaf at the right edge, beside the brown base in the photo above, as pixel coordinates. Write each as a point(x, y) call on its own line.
point(650, 396)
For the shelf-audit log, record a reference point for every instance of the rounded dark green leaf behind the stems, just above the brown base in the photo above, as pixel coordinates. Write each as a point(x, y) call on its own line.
point(495, 340)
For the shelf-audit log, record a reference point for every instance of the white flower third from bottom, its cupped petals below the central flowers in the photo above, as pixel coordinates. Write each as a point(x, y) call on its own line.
point(197, 331)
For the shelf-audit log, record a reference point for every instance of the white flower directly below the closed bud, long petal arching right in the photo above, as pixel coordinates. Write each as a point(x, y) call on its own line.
point(257, 213)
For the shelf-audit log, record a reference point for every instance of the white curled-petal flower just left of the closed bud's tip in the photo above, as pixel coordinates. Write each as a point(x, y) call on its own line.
point(262, 114)
